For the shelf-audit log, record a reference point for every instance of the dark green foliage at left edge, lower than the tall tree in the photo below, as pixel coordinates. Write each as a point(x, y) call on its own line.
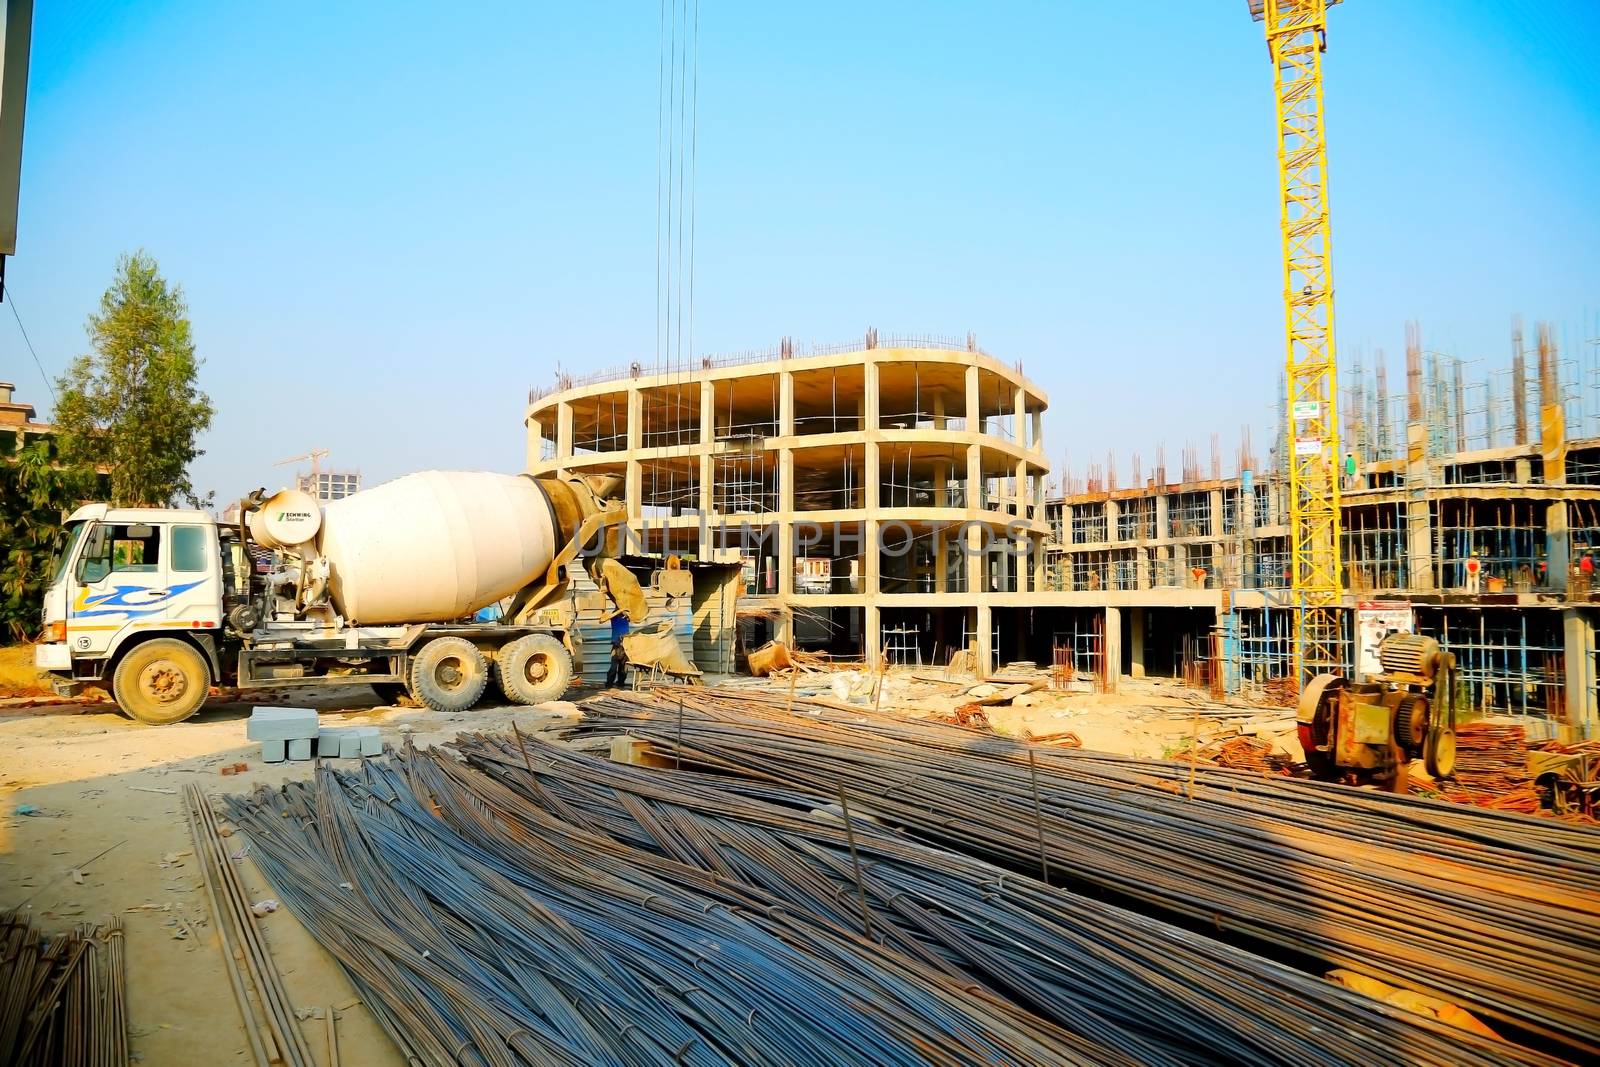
point(34, 495)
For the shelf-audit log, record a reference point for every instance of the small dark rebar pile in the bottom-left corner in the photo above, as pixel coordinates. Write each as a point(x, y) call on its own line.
point(63, 999)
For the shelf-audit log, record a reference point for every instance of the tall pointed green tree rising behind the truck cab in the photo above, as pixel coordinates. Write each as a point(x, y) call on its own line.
point(132, 406)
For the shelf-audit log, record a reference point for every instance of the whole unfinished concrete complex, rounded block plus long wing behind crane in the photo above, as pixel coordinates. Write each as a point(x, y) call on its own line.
point(889, 495)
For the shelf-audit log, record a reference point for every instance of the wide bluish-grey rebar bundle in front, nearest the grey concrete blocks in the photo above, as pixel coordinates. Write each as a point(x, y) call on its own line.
point(484, 930)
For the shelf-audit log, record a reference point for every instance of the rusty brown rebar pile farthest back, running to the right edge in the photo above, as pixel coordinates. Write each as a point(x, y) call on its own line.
point(1494, 911)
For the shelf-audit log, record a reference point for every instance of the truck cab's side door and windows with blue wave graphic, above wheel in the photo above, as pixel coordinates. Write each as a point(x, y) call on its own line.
point(138, 577)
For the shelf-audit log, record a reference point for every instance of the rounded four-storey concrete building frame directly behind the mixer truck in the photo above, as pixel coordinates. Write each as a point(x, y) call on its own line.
point(886, 495)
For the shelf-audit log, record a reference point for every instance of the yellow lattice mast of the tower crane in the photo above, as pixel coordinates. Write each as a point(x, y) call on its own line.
point(1297, 38)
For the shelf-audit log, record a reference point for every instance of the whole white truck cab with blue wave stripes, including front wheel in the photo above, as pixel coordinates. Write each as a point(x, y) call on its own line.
point(138, 593)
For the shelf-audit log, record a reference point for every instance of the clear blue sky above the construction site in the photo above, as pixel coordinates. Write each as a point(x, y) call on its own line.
point(391, 222)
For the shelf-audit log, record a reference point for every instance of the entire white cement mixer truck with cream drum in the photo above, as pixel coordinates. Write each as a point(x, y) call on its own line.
point(378, 589)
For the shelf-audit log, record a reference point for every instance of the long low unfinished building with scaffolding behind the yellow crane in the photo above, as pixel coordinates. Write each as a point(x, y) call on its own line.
point(1470, 508)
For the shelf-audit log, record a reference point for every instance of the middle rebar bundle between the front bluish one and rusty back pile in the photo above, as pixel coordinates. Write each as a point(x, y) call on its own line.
point(1105, 973)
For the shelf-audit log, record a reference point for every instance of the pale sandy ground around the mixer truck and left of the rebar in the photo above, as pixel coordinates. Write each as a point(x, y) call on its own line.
point(98, 781)
